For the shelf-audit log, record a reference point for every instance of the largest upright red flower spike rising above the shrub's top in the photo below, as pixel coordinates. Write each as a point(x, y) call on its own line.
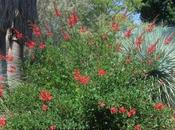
point(73, 19)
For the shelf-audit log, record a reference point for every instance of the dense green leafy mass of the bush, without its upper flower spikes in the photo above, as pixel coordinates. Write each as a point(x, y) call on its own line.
point(90, 85)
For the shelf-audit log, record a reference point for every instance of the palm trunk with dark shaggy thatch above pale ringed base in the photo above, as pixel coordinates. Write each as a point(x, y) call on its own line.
point(16, 14)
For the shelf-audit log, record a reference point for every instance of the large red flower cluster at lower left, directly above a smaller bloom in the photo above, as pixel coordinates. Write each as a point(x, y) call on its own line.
point(45, 95)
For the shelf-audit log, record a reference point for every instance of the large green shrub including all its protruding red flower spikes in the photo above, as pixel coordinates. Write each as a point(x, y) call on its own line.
point(92, 80)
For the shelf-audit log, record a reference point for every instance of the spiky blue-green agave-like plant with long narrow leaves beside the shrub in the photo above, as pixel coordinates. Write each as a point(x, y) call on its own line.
point(157, 45)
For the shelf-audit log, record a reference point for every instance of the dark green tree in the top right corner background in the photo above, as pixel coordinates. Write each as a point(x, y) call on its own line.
point(164, 9)
